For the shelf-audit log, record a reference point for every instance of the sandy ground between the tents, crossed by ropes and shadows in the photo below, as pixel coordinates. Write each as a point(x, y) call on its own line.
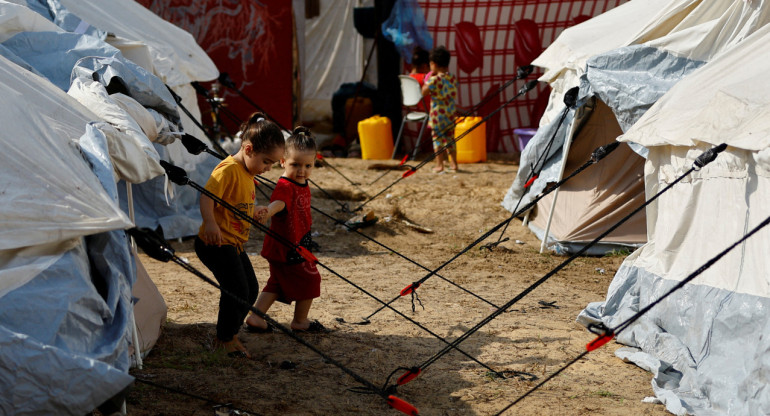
point(538, 336)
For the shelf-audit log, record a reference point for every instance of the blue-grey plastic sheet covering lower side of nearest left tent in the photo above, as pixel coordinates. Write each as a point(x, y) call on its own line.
point(64, 334)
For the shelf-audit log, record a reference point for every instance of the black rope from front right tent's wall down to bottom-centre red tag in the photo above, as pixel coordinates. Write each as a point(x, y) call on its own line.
point(701, 161)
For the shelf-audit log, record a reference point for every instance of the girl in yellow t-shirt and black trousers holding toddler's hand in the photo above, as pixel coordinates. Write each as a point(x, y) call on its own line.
point(220, 240)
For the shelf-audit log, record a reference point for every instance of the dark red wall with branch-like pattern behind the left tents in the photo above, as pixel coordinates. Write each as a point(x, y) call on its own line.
point(251, 41)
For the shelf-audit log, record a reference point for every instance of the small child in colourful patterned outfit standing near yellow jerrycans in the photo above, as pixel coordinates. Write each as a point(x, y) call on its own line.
point(441, 86)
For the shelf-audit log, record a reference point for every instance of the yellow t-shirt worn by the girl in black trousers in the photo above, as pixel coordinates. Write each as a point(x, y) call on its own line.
point(235, 185)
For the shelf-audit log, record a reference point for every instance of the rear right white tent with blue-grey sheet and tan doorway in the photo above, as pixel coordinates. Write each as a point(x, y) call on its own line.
point(654, 45)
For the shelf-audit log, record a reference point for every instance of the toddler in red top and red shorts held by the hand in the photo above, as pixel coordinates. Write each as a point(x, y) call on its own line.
point(292, 278)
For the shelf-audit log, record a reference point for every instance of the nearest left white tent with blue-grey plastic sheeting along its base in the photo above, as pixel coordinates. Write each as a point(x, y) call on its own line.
point(66, 347)
